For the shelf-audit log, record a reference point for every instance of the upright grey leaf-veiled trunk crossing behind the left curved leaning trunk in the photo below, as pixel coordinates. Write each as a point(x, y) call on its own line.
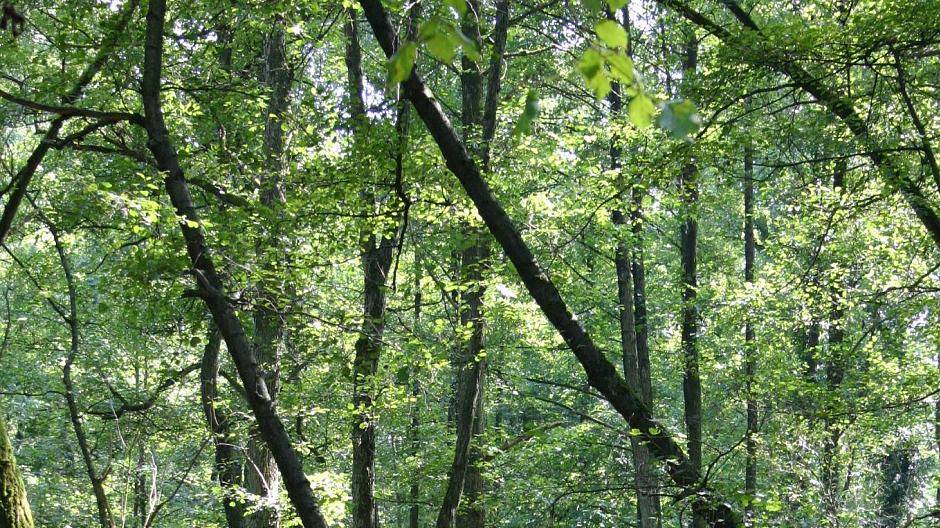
point(262, 479)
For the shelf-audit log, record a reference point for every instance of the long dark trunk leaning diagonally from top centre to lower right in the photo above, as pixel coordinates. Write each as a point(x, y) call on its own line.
point(601, 374)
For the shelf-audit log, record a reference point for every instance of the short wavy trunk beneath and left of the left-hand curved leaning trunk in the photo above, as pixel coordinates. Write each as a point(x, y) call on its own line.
point(228, 469)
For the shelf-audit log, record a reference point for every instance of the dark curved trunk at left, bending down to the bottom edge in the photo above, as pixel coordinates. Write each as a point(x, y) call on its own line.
point(210, 286)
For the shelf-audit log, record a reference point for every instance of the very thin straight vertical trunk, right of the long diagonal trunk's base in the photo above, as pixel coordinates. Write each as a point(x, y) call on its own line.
point(750, 442)
